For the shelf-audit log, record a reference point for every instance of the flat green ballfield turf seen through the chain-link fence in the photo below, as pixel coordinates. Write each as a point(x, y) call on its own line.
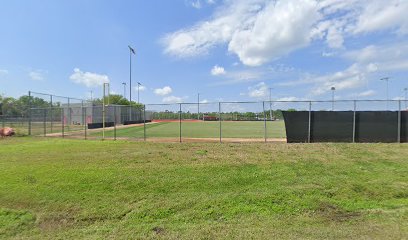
point(238, 129)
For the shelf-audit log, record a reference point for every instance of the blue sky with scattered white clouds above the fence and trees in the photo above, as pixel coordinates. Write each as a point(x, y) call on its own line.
point(231, 50)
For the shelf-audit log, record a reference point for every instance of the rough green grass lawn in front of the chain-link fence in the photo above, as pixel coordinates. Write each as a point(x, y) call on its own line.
point(92, 189)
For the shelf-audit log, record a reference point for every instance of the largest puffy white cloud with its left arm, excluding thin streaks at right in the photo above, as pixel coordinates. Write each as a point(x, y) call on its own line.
point(255, 30)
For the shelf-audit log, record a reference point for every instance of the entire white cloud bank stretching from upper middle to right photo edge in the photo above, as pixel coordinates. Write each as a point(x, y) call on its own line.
point(259, 31)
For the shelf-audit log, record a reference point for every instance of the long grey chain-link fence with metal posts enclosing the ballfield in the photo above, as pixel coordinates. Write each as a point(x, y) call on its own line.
point(196, 122)
